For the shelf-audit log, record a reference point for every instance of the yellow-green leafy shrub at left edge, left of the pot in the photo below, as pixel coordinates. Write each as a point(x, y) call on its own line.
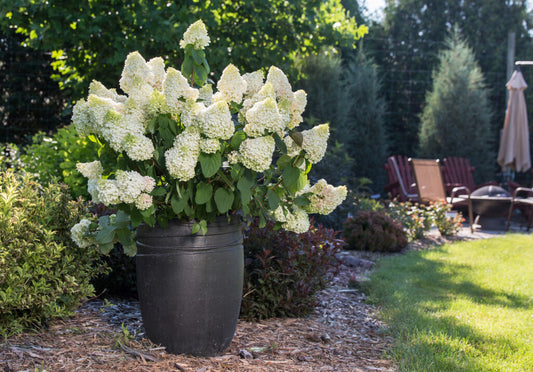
point(43, 274)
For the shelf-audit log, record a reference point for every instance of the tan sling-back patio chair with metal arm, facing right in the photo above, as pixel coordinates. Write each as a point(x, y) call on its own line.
point(430, 186)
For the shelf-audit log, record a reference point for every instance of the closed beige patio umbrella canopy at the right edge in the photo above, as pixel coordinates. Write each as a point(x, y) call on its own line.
point(514, 143)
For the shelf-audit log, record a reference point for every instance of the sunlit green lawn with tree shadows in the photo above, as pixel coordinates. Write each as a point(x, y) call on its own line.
point(466, 306)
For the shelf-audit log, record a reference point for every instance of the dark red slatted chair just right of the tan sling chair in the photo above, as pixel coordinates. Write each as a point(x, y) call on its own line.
point(457, 171)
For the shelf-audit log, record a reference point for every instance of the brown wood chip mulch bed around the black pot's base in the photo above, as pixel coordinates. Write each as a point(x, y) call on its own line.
point(344, 334)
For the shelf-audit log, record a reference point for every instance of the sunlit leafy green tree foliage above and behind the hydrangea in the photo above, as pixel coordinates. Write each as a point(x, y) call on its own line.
point(90, 39)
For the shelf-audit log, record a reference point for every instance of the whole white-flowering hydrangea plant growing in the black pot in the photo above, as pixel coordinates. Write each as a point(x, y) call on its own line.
point(173, 147)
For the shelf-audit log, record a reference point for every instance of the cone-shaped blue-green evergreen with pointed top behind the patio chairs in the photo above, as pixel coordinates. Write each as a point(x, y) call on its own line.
point(457, 115)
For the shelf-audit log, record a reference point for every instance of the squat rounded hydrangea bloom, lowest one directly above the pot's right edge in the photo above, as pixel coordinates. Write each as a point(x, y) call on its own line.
point(256, 153)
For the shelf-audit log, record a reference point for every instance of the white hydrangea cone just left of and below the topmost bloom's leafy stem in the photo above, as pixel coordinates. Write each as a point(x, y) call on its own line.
point(176, 88)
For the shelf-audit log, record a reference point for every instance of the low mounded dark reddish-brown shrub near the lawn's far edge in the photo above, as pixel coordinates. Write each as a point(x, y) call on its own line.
point(374, 231)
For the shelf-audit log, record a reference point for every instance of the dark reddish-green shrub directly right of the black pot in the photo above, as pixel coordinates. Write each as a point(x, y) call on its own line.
point(284, 270)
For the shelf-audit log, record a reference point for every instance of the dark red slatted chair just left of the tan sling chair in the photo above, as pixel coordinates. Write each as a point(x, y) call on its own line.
point(401, 183)
